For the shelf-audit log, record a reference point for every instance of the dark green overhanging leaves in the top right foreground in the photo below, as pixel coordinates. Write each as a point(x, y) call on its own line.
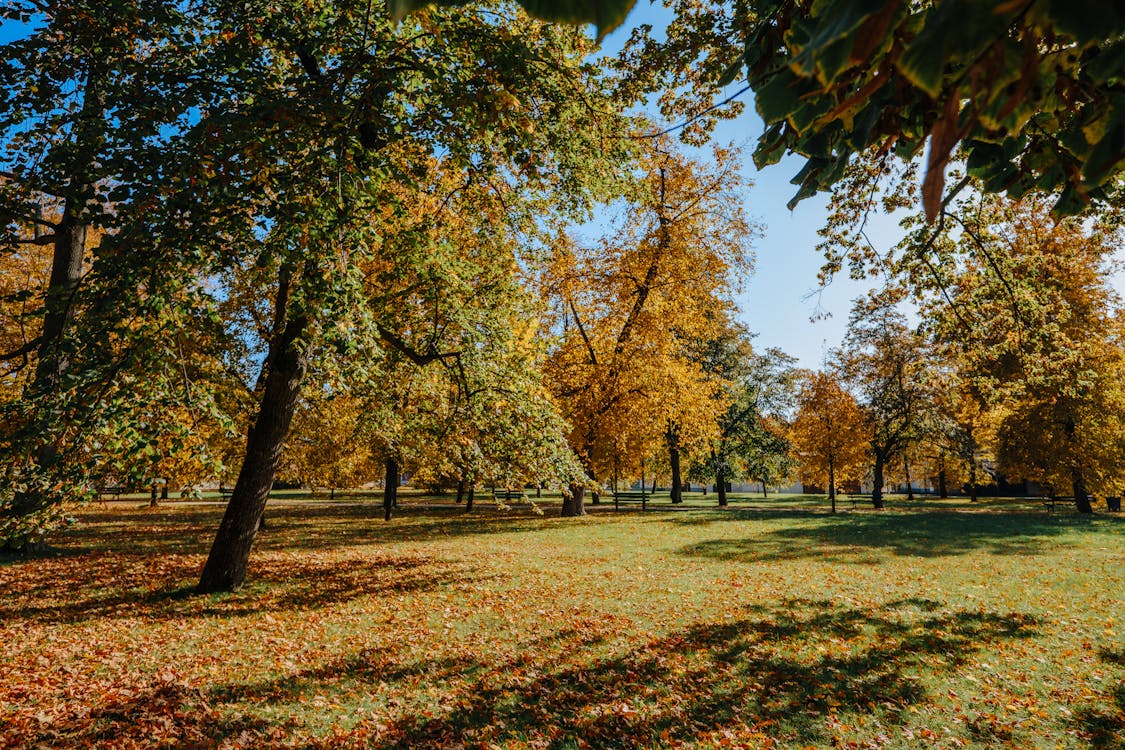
point(1030, 89)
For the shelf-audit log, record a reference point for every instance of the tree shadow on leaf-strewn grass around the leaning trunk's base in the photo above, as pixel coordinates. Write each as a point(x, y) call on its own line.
point(82, 589)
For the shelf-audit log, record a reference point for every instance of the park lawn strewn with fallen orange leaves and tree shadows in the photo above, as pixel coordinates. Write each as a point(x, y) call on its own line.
point(769, 625)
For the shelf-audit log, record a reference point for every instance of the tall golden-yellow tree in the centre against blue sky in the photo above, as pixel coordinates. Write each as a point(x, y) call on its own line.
point(631, 310)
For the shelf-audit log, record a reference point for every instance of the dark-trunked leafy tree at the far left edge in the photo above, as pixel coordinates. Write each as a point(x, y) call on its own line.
point(93, 96)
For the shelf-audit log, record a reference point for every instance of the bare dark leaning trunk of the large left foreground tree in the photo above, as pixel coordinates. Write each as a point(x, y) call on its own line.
point(226, 570)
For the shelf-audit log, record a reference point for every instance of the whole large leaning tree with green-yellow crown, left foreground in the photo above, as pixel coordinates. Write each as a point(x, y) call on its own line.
point(346, 98)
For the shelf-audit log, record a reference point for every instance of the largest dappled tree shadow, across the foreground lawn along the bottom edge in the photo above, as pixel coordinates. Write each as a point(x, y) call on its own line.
point(766, 675)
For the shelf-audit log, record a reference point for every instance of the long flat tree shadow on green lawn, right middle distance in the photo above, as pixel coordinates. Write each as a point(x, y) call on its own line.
point(862, 538)
